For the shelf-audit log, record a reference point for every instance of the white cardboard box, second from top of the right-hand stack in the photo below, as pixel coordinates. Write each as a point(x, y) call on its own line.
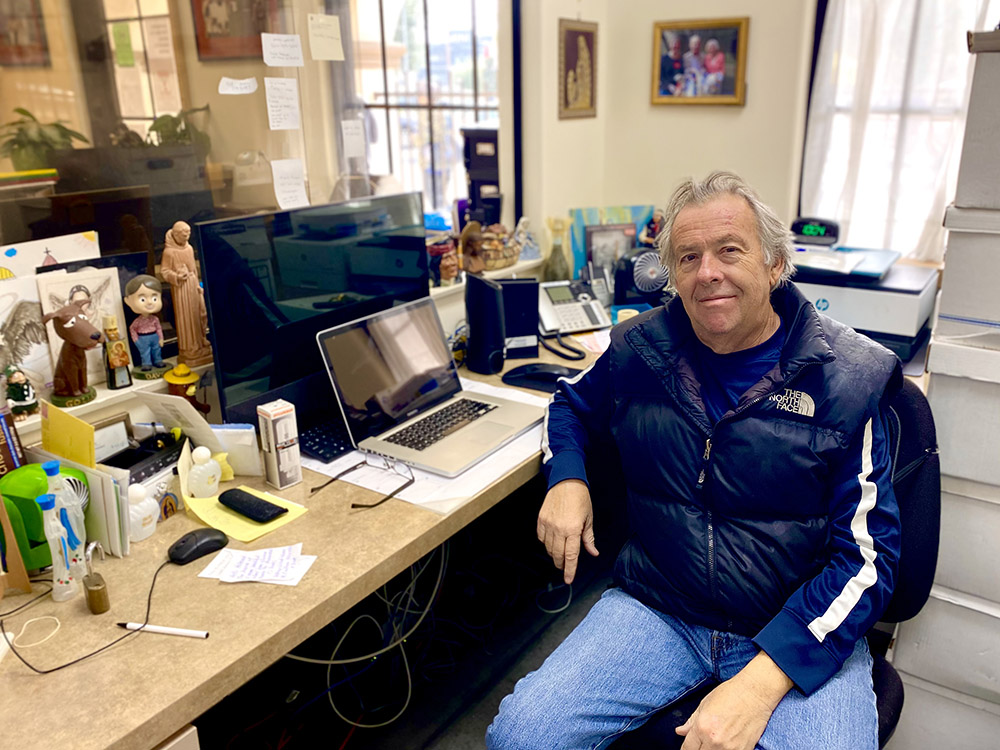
point(969, 307)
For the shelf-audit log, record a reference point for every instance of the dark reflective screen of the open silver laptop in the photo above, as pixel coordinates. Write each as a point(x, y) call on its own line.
point(389, 367)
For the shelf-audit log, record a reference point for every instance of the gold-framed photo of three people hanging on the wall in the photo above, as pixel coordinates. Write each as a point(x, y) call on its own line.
point(700, 62)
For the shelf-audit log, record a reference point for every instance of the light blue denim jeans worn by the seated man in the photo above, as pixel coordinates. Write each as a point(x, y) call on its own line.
point(625, 661)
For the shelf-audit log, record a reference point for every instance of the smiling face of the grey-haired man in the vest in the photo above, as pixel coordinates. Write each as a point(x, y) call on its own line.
point(720, 274)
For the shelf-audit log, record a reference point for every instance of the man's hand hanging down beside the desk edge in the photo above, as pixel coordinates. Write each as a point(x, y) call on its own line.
point(566, 518)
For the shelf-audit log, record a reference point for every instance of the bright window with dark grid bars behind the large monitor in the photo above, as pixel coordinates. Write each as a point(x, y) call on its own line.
point(424, 69)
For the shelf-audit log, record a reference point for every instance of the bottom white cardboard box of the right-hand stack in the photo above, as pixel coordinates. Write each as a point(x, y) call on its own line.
point(935, 718)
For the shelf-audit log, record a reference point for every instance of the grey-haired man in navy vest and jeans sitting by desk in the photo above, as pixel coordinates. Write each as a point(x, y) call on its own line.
point(764, 529)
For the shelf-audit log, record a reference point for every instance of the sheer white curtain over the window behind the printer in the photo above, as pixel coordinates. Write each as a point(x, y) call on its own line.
point(886, 119)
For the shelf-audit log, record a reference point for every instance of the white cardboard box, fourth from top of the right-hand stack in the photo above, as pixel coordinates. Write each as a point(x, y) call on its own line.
point(969, 556)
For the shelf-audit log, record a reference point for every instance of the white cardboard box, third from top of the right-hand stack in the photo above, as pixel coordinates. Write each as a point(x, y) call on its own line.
point(964, 394)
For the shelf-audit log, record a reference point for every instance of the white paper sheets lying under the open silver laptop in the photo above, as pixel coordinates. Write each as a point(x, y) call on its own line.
point(437, 493)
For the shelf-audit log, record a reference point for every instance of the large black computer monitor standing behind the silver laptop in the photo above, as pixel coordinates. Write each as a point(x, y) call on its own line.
point(274, 280)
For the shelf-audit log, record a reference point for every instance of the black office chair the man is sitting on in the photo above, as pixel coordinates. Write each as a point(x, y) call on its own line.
point(916, 478)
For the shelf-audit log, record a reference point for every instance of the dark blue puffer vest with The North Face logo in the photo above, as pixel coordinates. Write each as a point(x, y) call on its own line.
point(705, 525)
